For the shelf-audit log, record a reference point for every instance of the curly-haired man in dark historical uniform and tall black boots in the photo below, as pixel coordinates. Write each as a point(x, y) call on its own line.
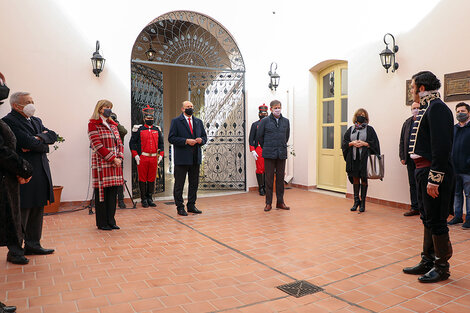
point(430, 148)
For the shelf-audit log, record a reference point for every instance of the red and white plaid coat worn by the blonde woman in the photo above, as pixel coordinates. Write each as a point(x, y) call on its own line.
point(106, 145)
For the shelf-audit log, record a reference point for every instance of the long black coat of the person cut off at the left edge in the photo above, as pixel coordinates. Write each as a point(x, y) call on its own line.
point(11, 166)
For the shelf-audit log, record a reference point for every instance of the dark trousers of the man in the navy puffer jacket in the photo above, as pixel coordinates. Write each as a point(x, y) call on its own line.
point(271, 166)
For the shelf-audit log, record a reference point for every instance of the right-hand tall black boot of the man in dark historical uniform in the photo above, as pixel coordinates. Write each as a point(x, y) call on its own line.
point(440, 271)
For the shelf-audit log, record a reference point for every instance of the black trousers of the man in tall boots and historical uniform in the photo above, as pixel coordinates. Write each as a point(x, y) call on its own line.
point(434, 211)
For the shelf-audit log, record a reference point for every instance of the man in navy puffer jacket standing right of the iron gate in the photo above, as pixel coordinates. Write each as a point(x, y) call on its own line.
point(273, 135)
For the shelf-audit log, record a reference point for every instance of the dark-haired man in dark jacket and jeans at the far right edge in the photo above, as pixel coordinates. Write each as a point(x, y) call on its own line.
point(461, 161)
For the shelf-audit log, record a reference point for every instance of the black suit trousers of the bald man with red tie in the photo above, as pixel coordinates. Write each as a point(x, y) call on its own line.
point(193, 180)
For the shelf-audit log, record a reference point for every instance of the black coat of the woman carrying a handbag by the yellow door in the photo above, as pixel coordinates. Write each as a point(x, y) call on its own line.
point(374, 148)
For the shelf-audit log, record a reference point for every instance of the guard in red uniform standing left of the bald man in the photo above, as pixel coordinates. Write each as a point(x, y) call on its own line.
point(147, 149)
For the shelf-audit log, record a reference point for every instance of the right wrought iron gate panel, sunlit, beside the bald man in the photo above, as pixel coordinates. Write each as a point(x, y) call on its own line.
point(219, 101)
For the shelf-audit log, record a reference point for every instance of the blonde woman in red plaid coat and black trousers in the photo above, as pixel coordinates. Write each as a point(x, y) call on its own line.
point(107, 156)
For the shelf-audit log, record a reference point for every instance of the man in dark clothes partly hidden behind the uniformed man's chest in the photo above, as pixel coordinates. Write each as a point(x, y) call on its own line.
point(406, 160)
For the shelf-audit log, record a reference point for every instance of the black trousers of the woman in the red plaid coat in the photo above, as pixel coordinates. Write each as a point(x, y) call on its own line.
point(106, 210)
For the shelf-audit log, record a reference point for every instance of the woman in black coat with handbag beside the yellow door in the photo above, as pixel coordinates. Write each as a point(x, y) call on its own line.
point(359, 141)
